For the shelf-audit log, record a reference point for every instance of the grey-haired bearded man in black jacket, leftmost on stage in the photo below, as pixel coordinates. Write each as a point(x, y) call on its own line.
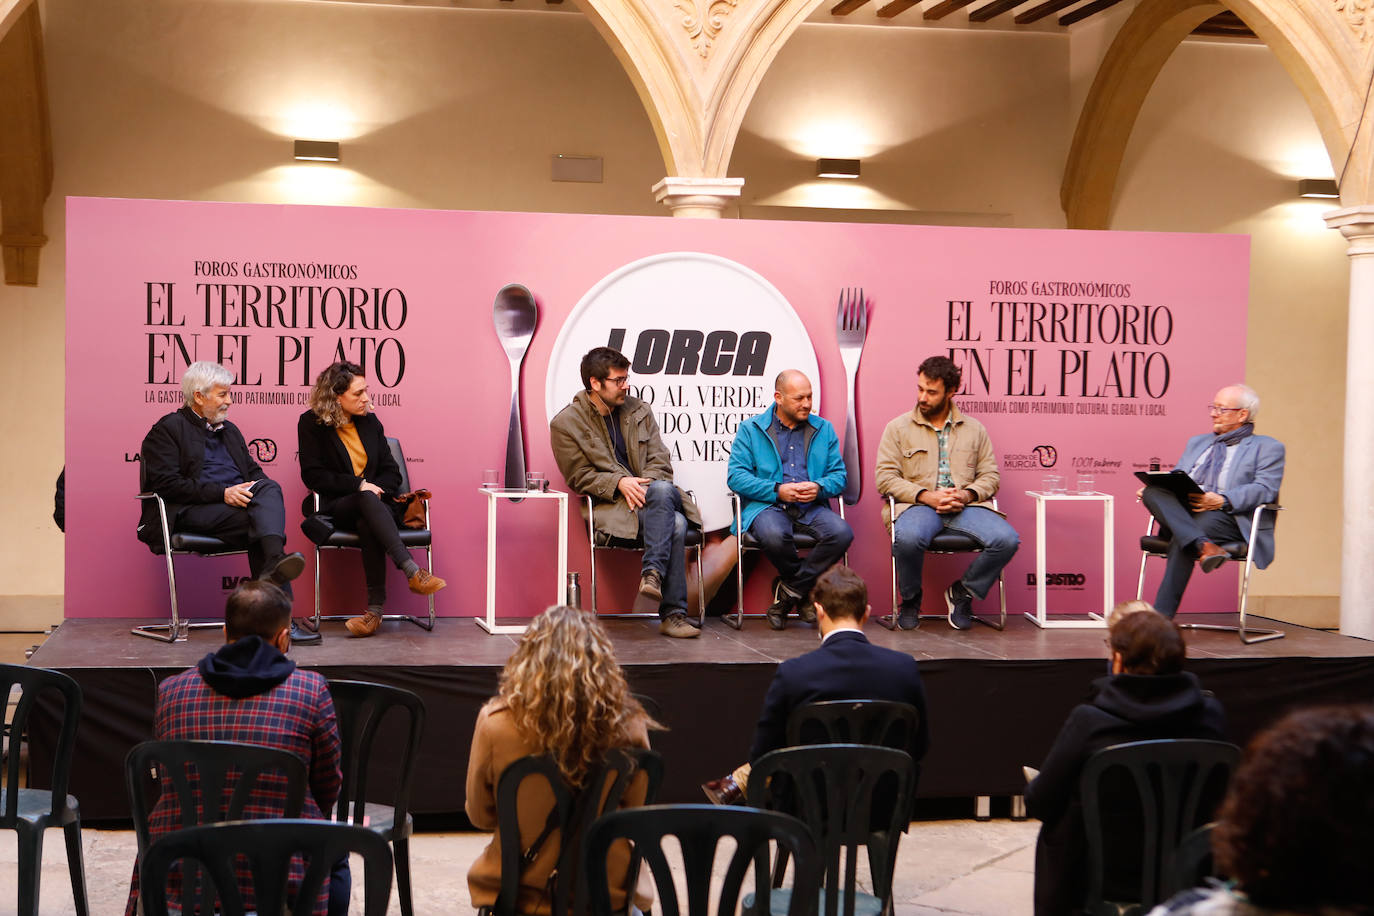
point(200, 465)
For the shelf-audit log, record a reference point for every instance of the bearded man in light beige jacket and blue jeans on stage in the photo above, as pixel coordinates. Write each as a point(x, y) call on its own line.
point(939, 468)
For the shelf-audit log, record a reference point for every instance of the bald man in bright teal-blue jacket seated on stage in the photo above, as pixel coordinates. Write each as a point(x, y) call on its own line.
point(785, 466)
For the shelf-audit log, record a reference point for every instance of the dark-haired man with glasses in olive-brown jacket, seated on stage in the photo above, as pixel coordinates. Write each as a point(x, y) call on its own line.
point(608, 447)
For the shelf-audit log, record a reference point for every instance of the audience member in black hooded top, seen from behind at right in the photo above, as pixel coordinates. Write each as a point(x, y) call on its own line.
point(1147, 697)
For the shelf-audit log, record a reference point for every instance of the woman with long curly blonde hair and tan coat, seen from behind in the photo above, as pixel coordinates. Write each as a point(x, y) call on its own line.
point(561, 694)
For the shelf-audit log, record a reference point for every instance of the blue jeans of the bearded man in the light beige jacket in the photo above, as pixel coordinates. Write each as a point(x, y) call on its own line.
point(917, 528)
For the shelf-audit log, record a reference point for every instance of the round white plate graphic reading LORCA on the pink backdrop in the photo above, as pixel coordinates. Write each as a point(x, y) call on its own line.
point(706, 337)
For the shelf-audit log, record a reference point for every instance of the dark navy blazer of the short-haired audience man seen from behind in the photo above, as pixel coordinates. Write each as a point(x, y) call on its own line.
point(846, 667)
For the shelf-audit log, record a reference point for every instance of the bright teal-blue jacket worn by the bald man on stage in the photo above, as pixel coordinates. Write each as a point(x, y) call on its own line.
point(756, 468)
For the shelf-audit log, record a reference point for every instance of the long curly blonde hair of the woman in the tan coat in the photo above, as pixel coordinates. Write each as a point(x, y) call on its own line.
point(567, 693)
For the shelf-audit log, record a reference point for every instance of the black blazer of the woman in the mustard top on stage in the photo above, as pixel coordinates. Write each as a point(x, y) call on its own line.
point(326, 468)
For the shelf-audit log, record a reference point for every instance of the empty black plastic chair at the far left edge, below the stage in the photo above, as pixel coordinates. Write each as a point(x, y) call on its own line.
point(31, 812)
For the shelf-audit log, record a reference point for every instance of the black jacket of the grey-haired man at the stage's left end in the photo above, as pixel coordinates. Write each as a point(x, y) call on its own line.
point(172, 457)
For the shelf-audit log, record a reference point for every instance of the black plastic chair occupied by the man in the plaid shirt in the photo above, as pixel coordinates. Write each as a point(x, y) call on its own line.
point(200, 782)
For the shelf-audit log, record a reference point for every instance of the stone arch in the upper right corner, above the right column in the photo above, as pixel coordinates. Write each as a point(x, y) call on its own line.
point(1324, 47)
